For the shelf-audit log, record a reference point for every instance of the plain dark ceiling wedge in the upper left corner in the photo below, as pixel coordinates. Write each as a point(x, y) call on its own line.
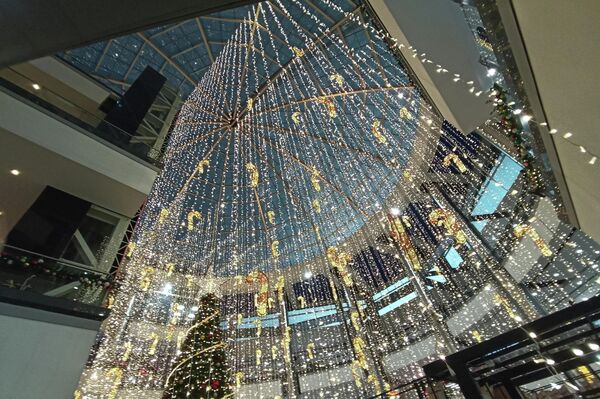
point(36, 28)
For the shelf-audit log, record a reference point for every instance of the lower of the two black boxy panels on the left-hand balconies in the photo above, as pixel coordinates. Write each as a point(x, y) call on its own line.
point(47, 227)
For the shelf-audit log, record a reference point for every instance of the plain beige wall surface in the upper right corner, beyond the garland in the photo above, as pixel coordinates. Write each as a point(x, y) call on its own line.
point(561, 39)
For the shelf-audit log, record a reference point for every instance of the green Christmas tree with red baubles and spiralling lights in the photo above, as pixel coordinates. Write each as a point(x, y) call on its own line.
point(201, 371)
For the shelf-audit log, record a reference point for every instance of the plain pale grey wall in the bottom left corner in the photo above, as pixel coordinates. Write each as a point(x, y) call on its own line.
point(41, 356)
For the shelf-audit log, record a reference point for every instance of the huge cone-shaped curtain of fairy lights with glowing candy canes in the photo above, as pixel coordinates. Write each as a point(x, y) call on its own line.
point(310, 185)
